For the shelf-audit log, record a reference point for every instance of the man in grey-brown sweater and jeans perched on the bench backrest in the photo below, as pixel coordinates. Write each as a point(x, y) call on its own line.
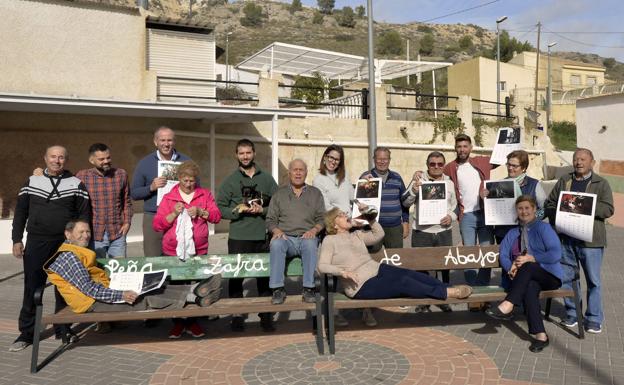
point(295, 218)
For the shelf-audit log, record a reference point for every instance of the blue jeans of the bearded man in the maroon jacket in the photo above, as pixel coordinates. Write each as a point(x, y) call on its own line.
point(471, 227)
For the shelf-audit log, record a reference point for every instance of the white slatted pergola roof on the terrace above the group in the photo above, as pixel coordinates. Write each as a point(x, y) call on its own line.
point(295, 60)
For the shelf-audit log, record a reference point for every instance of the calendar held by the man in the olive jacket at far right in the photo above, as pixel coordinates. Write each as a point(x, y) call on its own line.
point(575, 215)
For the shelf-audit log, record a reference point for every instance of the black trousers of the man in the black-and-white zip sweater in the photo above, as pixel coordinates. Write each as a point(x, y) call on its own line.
point(36, 253)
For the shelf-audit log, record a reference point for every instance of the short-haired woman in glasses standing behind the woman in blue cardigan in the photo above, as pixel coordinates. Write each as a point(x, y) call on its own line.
point(517, 165)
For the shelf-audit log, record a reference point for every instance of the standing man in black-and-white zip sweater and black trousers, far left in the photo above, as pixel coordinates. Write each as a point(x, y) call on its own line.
point(47, 202)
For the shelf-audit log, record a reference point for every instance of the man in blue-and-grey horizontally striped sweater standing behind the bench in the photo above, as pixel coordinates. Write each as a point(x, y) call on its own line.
point(393, 217)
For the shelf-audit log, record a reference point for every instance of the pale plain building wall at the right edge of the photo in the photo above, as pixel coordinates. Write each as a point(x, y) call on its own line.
point(594, 113)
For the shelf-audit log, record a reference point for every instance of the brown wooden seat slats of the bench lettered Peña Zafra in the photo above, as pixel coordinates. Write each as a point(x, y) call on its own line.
point(222, 307)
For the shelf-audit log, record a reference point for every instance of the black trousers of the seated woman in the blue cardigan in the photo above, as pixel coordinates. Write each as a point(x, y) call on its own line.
point(530, 280)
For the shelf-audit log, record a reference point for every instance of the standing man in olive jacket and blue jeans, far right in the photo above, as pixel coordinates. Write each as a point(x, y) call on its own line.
point(575, 251)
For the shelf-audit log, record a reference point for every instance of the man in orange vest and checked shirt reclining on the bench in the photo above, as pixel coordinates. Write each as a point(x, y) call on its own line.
point(84, 286)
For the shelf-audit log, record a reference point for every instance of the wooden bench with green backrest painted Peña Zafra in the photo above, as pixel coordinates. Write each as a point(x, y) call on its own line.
point(228, 265)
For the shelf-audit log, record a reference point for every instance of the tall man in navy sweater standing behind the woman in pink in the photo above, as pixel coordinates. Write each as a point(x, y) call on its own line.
point(146, 182)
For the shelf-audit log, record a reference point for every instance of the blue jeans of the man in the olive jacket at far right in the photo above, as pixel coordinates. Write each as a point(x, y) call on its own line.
point(590, 259)
